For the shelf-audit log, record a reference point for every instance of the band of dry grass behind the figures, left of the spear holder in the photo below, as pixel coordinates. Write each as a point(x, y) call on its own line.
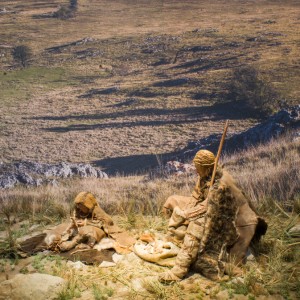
point(134, 201)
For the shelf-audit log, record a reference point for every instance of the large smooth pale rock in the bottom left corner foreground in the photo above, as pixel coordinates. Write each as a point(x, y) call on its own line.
point(31, 286)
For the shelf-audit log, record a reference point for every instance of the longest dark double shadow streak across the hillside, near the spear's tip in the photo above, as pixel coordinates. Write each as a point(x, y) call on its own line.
point(185, 115)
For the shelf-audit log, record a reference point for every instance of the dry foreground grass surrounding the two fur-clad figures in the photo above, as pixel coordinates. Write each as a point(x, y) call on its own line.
point(266, 173)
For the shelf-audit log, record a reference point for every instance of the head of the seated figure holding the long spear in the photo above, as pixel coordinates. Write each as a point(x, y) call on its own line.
point(204, 161)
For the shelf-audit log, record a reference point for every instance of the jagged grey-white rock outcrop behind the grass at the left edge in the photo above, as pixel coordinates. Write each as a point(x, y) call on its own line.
point(34, 174)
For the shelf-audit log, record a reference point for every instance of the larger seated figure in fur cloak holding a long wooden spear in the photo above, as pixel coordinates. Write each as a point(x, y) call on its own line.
point(215, 225)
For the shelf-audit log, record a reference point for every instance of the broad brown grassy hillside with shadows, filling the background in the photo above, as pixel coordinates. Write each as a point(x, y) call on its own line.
point(124, 82)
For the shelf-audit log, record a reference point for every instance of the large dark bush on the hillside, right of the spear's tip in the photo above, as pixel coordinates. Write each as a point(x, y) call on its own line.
point(249, 88)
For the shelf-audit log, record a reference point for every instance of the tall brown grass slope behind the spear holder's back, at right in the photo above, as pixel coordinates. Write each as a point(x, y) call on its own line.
point(270, 172)
